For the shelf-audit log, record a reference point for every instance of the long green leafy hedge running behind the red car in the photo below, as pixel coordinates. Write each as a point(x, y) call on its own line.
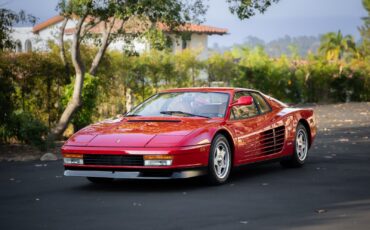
point(34, 87)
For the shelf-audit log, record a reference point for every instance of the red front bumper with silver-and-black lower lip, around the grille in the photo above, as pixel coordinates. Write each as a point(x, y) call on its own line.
point(187, 162)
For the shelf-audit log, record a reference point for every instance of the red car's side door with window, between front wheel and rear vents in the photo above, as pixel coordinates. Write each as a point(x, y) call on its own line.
point(246, 123)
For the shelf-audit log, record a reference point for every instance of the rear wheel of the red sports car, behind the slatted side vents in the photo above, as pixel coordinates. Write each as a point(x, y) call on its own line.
point(301, 146)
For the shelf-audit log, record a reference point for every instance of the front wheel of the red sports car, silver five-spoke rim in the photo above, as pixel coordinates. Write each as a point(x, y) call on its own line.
point(220, 158)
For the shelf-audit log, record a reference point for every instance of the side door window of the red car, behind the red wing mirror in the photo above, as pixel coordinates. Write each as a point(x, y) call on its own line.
point(244, 111)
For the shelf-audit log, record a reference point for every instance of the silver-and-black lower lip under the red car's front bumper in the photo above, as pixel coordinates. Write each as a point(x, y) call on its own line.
point(187, 173)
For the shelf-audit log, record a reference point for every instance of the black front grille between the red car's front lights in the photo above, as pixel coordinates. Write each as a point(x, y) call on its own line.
point(115, 160)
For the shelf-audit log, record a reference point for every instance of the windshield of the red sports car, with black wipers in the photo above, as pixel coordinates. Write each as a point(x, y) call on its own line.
point(200, 104)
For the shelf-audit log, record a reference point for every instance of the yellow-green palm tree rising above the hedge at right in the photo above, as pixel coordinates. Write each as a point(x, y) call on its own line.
point(334, 45)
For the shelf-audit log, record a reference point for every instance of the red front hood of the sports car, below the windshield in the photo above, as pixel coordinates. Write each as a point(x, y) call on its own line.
point(139, 132)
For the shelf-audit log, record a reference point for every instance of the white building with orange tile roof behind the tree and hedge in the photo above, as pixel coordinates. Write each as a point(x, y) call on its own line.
point(36, 38)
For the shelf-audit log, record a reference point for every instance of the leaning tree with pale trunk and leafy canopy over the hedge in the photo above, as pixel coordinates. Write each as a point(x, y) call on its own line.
point(112, 16)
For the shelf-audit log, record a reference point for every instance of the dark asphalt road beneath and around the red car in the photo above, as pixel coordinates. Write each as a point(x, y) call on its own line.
point(332, 191)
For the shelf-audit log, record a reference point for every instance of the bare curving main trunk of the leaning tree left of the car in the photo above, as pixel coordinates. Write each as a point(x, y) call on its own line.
point(75, 101)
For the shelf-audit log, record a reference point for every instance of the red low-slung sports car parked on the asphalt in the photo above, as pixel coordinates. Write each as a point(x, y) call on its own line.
point(182, 133)
